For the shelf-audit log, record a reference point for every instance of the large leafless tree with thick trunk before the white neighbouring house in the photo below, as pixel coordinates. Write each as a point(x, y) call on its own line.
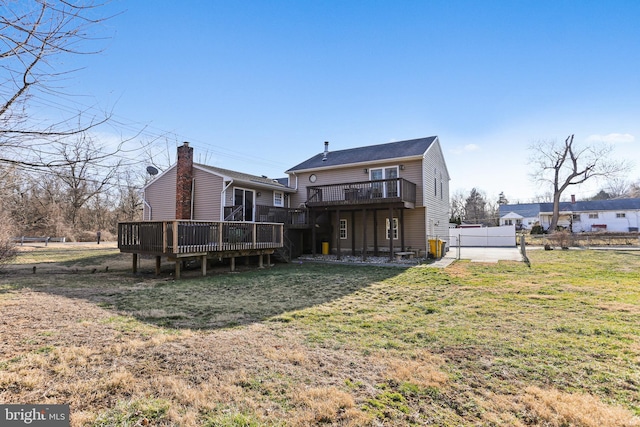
point(564, 165)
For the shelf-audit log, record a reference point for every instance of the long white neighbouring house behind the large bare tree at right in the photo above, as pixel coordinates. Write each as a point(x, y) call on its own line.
point(618, 215)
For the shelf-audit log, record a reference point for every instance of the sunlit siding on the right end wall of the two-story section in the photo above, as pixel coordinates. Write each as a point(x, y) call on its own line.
point(436, 196)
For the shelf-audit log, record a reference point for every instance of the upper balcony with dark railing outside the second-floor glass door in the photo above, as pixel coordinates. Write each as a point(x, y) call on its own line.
point(377, 192)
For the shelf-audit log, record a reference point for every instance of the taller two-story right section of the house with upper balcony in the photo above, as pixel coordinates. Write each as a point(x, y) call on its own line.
point(389, 198)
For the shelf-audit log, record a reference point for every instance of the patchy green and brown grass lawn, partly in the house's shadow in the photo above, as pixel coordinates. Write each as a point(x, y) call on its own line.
point(554, 344)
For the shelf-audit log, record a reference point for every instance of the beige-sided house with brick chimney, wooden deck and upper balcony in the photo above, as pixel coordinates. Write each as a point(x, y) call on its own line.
point(385, 198)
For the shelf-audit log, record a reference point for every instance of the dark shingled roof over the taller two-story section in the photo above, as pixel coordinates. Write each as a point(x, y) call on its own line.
point(371, 153)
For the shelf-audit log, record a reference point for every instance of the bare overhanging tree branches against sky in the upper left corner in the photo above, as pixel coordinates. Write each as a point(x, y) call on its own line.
point(33, 35)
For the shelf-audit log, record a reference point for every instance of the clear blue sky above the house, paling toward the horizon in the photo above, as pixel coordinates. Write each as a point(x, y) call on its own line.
point(258, 86)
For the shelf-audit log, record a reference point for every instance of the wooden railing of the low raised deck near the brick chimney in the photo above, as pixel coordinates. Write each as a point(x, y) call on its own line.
point(184, 237)
